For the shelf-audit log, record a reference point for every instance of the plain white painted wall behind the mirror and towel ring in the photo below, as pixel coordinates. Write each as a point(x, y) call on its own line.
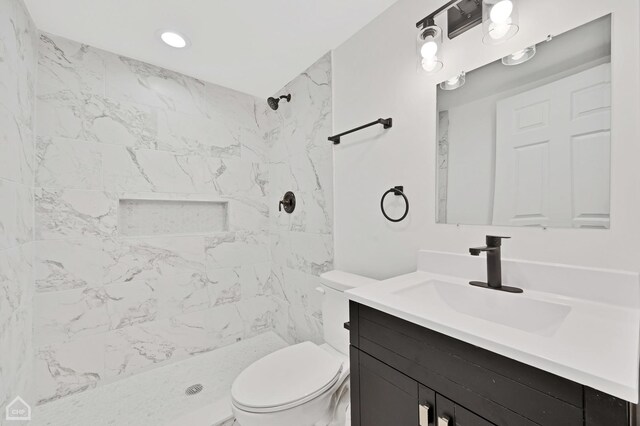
point(375, 76)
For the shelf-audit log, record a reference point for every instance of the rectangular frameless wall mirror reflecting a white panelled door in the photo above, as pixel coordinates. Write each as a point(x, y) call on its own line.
point(529, 144)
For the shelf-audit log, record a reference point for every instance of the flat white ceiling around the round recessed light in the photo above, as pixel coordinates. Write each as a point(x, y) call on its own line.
point(254, 46)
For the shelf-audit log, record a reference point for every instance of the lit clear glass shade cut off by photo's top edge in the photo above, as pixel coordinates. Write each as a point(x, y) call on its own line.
point(499, 20)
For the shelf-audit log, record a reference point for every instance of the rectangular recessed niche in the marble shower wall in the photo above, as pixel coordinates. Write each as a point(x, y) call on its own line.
point(151, 217)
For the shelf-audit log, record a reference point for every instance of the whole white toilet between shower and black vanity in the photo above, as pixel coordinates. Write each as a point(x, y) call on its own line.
point(304, 384)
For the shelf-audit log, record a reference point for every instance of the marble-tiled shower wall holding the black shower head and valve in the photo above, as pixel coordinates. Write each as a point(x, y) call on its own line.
point(300, 160)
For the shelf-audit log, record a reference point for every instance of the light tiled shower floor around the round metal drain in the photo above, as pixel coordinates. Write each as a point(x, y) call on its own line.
point(157, 397)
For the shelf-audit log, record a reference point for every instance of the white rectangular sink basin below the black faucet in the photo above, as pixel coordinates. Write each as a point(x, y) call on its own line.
point(511, 310)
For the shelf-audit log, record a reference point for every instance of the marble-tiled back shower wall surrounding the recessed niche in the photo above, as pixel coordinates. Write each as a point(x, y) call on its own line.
point(108, 306)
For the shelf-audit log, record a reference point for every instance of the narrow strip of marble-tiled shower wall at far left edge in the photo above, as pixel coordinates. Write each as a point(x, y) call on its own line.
point(18, 63)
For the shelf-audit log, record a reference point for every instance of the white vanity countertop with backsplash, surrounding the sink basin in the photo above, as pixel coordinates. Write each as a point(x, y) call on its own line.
point(596, 344)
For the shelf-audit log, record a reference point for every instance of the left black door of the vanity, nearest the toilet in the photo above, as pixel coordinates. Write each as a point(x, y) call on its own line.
point(387, 397)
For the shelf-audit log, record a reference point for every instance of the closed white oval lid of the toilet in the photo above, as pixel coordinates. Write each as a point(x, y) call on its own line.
point(286, 378)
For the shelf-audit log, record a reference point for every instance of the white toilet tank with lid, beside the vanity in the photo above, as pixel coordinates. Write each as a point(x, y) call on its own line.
point(335, 306)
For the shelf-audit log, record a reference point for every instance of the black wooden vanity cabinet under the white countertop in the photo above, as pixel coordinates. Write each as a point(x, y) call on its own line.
point(403, 374)
